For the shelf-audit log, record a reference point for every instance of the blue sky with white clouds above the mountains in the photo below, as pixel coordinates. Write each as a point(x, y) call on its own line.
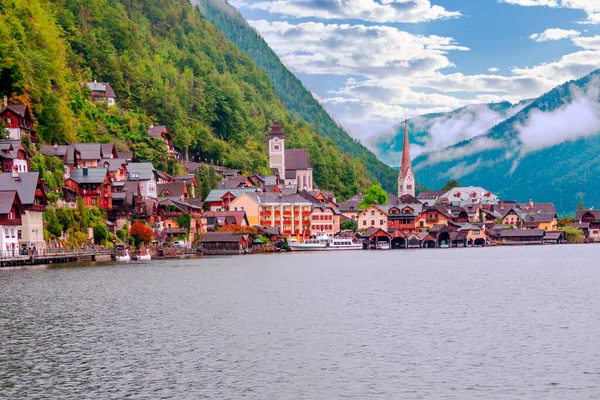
point(372, 63)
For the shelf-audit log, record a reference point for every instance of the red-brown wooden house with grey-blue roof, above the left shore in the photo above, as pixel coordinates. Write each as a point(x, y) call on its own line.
point(93, 185)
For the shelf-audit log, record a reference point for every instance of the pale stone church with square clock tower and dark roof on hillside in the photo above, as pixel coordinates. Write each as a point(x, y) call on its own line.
point(291, 165)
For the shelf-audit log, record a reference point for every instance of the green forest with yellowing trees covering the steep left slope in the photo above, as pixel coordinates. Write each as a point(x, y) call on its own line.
point(168, 66)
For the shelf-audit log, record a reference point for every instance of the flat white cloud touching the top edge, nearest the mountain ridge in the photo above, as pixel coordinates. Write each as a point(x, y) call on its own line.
point(386, 11)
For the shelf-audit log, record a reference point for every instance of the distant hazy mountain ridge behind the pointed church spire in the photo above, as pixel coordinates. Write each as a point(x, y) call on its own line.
point(432, 132)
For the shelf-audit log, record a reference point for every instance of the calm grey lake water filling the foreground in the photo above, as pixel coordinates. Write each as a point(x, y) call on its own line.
point(494, 323)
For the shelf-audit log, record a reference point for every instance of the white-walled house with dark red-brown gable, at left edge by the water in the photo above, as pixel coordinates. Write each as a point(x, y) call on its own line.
point(11, 212)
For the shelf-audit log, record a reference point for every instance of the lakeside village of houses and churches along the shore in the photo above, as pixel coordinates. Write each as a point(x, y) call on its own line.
point(242, 213)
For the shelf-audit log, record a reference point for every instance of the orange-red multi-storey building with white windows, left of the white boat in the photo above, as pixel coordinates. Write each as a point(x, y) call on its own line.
point(289, 213)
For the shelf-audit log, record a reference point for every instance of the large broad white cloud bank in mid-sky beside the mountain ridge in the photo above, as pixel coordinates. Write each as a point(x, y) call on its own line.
point(370, 51)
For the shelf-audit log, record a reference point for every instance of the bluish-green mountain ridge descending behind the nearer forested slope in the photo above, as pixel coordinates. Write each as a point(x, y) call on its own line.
point(290, 90)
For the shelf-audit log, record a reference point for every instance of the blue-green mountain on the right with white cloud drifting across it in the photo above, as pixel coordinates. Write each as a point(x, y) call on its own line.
point(547, 151)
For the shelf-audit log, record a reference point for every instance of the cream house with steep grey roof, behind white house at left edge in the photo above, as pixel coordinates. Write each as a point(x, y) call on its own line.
point(30, 188)
